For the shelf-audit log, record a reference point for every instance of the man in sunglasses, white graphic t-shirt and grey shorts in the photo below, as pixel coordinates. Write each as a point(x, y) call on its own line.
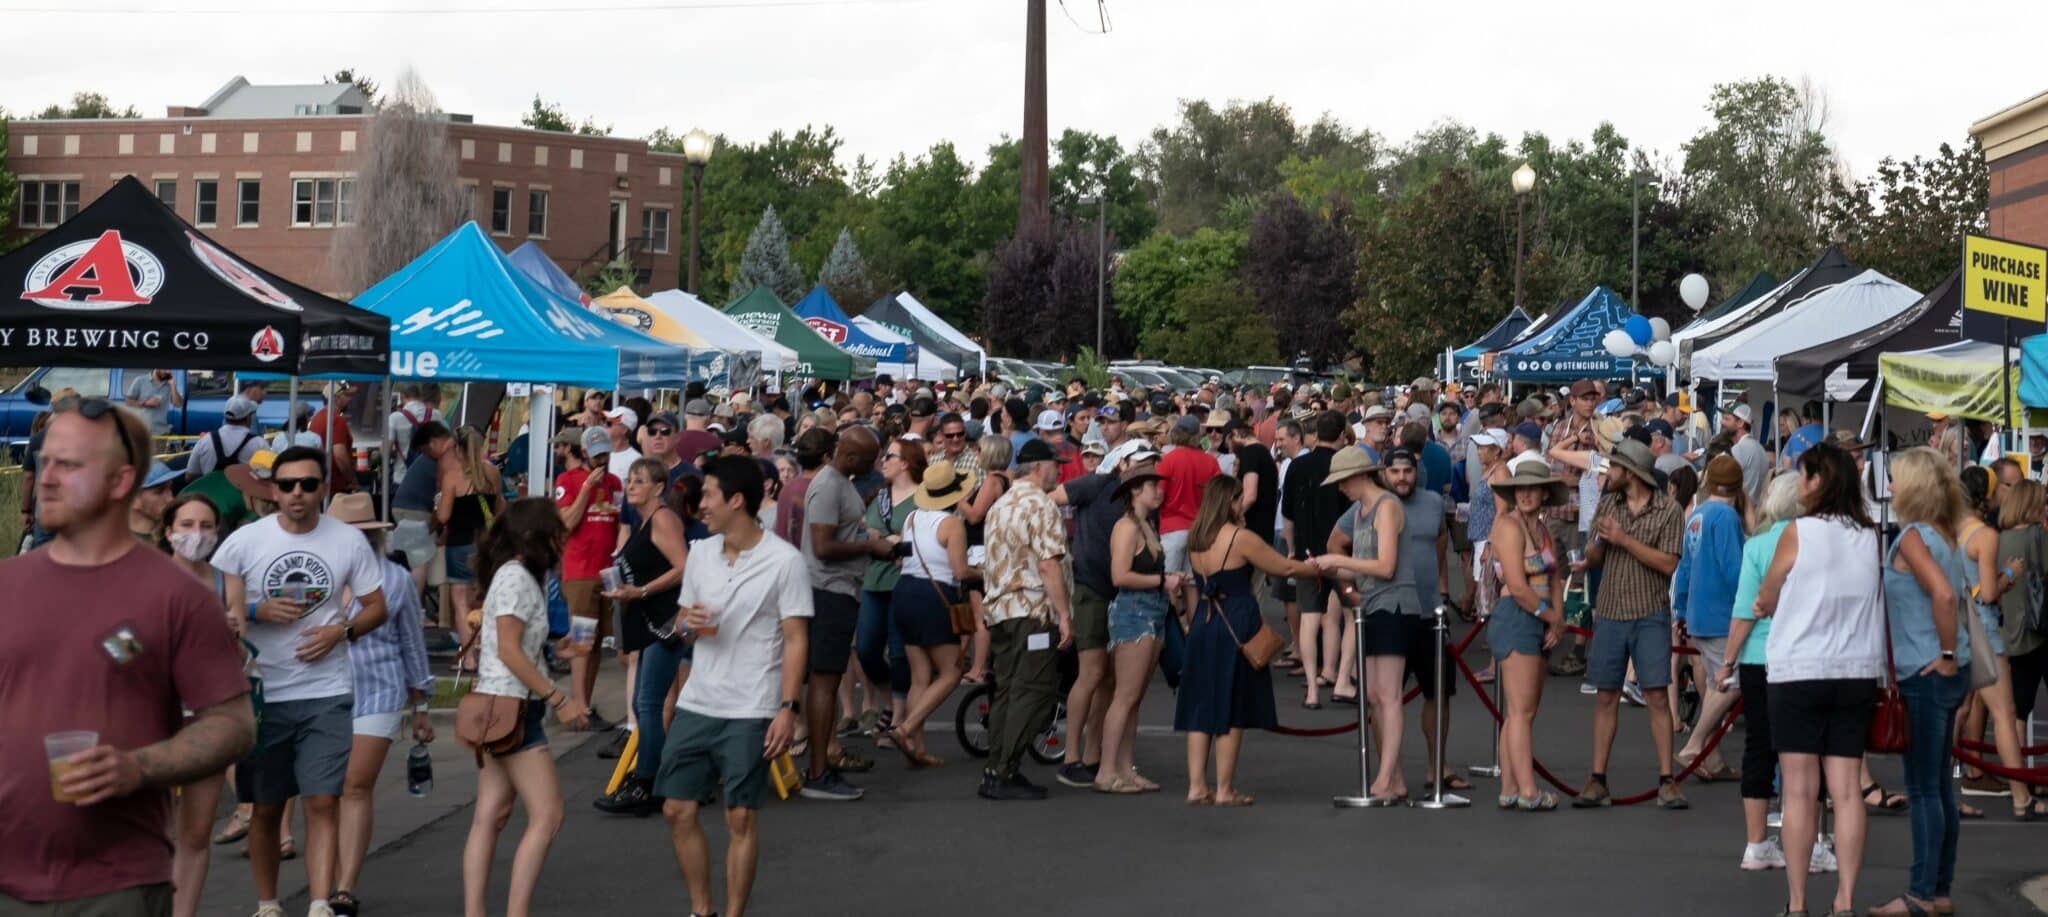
point(296, 566)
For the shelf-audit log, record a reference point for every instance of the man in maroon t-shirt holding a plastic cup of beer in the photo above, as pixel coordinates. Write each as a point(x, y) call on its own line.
point(112, 638)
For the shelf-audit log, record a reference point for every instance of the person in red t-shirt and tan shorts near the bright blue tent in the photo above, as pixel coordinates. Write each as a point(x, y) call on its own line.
point(589, 500)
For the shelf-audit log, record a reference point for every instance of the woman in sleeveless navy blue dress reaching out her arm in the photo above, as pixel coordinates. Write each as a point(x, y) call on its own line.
point(1222, 695)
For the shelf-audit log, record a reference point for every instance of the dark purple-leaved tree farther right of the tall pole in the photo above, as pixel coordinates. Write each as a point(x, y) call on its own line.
point(1299, 271)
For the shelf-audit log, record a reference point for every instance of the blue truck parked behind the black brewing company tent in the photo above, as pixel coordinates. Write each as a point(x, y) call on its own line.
point(206, 398)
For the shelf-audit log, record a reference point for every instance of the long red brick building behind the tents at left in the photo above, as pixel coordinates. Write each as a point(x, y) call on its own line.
point(269, 171)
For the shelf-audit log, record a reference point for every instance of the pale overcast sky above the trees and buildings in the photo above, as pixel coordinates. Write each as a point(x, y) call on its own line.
point(902, 75)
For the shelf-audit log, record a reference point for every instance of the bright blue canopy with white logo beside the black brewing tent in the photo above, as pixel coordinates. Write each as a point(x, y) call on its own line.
point(462, 312)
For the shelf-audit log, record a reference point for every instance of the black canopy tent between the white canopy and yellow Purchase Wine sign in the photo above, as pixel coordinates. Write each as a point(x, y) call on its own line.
point(1936, 320)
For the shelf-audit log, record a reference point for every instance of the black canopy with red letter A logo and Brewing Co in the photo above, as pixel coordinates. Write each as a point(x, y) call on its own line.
point(128, 283)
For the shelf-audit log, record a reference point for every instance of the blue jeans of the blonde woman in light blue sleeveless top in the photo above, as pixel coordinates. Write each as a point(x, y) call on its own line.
point(1932, 705)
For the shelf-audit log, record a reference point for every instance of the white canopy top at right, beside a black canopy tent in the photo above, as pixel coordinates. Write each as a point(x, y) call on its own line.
point(1848, 308)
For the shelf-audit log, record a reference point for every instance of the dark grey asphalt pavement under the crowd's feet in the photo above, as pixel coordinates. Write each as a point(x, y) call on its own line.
point(925, 844)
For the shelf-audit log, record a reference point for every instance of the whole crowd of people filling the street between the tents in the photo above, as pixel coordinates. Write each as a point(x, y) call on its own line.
point(818, 572)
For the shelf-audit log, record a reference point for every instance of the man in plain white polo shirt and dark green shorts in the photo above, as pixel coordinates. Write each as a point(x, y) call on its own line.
point(746, 603)
